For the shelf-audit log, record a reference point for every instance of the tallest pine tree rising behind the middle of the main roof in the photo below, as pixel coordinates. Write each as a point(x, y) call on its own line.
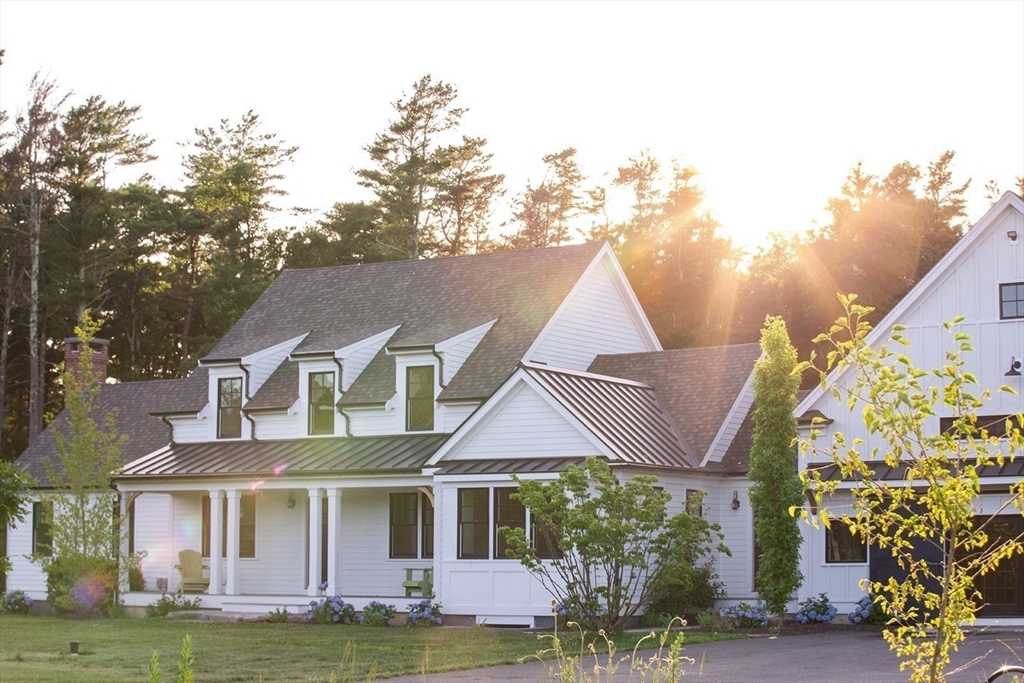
point(408, 163)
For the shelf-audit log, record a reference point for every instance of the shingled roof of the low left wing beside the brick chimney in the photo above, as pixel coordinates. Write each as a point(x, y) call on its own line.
point(135, 402)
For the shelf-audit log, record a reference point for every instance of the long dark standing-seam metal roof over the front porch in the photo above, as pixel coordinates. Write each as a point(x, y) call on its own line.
point(308, 456)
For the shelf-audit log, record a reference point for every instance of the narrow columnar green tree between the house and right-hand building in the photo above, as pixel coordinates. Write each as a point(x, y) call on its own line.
point(777, 488)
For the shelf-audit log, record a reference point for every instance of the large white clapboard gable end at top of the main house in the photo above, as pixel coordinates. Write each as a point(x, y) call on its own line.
point(595, 319)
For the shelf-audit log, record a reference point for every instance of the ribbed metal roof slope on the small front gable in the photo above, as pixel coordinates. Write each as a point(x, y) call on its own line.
point(626, 416)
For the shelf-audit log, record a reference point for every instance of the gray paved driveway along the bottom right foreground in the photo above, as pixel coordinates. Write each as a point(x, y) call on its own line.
point(835, 658)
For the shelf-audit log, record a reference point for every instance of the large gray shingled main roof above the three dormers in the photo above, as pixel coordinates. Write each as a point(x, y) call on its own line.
point(433, 301)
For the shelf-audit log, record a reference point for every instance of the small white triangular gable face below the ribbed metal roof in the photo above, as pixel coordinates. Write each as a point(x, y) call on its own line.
point(526, 426)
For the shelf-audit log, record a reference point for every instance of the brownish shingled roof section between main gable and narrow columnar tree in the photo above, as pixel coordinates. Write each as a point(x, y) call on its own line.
point(699, 387)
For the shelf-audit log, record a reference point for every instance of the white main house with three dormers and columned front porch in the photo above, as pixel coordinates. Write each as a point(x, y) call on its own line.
point(361, 422)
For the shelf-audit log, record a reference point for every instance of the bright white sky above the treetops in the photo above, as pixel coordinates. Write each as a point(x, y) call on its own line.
point(774, 103)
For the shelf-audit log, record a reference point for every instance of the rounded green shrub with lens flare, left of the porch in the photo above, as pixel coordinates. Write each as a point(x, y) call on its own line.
point(81, 587)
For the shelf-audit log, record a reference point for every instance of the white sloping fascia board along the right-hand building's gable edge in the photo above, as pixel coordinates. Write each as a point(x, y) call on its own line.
point(881, 332)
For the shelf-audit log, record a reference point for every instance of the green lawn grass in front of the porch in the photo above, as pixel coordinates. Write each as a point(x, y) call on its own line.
point(35, 649)
